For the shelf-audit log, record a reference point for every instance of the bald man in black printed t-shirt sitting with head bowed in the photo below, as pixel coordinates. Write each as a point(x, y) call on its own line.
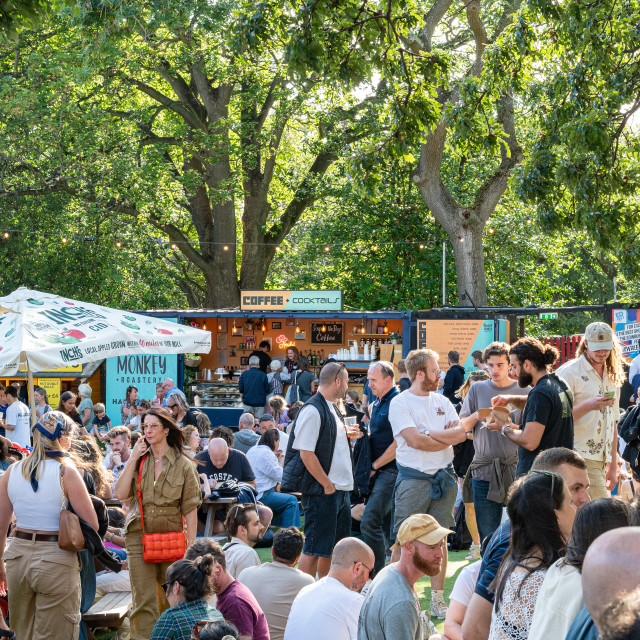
point(220, 464)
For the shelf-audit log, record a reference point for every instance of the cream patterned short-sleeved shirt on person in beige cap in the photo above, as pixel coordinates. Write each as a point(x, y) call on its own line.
point(593, 433)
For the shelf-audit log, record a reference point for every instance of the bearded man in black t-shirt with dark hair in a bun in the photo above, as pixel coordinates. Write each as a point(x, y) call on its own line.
point(547, 419)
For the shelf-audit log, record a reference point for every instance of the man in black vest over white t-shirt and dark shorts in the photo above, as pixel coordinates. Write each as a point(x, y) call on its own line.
point(318, 462)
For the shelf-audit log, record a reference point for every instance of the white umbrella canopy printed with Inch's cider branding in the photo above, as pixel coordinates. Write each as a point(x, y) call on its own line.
point(46, 331)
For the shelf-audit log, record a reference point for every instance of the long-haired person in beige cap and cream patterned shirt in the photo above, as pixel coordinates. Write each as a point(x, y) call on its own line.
point(595, 377)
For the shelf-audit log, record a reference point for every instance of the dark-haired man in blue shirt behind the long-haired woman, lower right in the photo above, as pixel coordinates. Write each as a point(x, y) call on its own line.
point(573, 469)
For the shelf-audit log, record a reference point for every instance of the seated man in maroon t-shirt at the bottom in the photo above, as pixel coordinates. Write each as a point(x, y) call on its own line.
point(235, 602)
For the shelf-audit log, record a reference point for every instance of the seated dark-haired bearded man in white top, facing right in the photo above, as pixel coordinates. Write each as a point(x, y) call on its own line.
point(244, 526)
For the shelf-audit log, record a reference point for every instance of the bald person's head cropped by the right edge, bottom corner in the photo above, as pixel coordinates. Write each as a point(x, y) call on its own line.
point(610, 568)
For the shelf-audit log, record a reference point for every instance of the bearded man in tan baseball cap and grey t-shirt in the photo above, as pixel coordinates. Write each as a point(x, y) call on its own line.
point(391, 609)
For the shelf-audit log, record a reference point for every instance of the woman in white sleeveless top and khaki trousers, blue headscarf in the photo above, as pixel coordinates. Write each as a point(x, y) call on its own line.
point(42, 580)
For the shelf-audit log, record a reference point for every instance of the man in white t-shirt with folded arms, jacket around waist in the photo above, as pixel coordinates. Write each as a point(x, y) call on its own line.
point(425, 426)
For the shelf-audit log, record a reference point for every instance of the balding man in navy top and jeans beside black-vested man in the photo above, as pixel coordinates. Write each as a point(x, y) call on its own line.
point(376, 520)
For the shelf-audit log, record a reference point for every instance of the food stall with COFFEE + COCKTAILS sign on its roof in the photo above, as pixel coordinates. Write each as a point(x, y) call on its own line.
point(315, 322)
